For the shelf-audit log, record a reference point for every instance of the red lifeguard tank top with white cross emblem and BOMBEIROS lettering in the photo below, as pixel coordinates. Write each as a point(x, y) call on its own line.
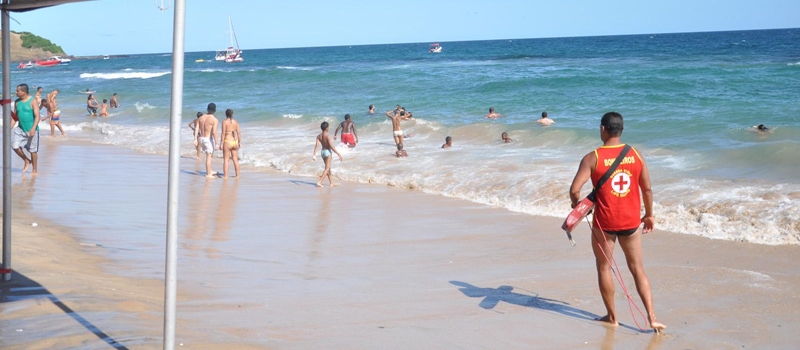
point(618, 205)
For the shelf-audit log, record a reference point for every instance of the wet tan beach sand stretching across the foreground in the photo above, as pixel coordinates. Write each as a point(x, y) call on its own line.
point(278, 263)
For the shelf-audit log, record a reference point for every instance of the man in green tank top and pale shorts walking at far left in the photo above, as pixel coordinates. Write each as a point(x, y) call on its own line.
point(26, 134)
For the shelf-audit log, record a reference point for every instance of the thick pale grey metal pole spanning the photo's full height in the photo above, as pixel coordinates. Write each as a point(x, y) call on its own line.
point(176, 107)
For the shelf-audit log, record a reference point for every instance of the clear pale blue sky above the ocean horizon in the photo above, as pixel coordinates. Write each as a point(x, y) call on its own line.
point(136, 26)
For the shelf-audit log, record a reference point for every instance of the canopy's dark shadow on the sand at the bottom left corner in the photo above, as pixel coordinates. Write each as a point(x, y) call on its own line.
point(21, 287)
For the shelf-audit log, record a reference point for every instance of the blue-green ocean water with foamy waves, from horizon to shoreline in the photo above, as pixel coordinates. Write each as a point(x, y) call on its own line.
point(689, 102)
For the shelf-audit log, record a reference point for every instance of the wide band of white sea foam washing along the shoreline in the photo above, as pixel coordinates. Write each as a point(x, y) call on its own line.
point(514, 177)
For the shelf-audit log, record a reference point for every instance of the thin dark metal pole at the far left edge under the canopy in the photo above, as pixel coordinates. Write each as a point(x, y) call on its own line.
point(6, 267)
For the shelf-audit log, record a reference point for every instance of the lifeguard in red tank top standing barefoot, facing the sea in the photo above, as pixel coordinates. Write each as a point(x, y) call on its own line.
point(616, 214)
